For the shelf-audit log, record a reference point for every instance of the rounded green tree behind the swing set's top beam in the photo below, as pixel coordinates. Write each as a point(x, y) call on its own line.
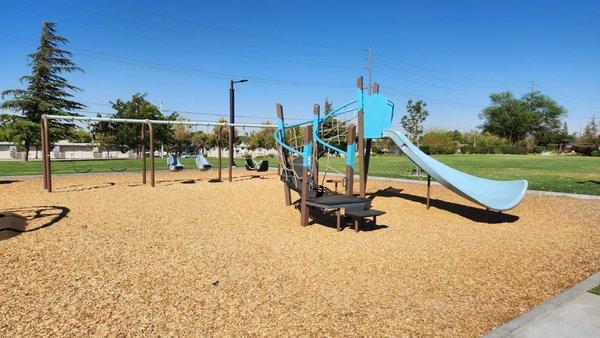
point(128, 136)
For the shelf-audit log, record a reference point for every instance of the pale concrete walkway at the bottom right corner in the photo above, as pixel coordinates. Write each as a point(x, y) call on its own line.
point(573, 313)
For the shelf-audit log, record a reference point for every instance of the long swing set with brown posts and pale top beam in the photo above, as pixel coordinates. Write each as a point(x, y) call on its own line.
point(146, 128)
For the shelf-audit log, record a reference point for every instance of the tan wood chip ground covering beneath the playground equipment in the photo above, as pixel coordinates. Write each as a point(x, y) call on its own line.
point(199, 258)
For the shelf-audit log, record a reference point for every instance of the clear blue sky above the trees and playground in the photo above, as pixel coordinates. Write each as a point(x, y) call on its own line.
point(451, 54)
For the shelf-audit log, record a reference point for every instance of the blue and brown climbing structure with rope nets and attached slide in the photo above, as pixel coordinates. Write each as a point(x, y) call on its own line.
point(300, 161)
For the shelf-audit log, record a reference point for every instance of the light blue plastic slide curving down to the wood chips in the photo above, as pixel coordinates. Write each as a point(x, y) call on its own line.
point(494, 195)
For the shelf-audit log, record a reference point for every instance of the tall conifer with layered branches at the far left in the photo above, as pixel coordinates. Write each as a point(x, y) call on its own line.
point(47, 92)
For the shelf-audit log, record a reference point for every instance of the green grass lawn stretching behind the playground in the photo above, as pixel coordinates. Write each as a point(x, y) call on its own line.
point(574, 174)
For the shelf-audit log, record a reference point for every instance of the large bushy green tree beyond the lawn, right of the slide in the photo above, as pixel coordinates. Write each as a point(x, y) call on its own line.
point(514, 119)
